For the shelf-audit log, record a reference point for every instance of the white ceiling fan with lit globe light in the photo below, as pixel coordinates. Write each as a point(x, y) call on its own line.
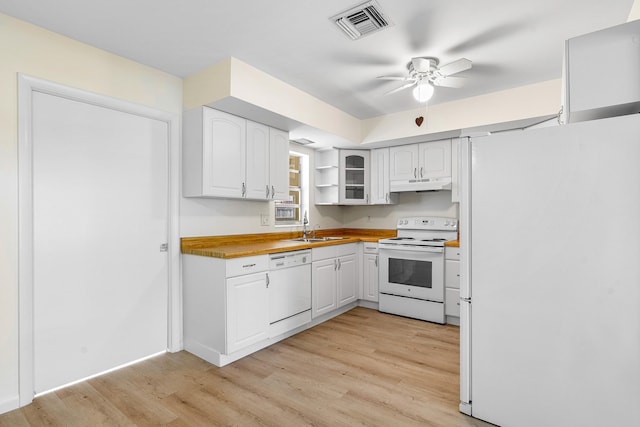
point(424, 74)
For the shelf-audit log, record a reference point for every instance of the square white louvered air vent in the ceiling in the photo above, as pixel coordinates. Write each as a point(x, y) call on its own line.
point(357, 22)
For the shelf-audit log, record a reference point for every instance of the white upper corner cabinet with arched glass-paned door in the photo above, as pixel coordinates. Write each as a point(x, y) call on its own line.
point(354, 177)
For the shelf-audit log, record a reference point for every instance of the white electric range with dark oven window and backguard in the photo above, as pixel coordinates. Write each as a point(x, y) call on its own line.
point(411, 268)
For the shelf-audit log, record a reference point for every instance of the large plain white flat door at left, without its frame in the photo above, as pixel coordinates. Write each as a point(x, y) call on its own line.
point(100, 209)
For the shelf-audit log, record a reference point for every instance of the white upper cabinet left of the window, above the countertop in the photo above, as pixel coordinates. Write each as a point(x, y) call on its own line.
point(231, 157)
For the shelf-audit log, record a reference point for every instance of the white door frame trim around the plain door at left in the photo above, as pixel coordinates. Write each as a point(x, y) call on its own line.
point(27, 85)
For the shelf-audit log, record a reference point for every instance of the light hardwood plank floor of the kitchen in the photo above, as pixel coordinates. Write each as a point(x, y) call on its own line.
point(361, 368)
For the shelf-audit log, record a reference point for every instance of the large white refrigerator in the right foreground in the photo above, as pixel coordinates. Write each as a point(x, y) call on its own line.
point(550, 275)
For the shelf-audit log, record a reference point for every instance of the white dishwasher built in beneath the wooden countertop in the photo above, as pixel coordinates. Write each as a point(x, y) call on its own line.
point(289, 284)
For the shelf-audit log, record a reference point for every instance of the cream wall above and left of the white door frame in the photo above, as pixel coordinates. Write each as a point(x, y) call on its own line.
point(33, 51)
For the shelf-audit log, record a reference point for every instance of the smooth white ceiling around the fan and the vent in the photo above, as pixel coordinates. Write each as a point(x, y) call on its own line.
point(510, 42)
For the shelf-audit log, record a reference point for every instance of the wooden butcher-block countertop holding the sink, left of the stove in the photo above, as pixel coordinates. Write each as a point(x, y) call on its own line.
point(238, 245)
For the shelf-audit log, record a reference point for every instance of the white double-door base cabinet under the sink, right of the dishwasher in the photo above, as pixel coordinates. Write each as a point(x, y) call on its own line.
point(334, 277)
